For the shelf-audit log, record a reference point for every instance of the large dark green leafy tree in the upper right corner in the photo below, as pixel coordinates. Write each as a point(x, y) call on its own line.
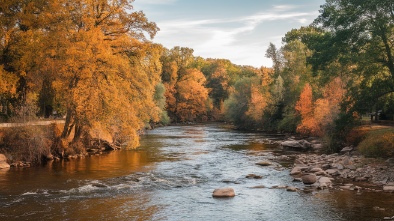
point(361, 37)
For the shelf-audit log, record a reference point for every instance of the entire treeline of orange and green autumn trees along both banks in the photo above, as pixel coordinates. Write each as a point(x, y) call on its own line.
point(93, 62)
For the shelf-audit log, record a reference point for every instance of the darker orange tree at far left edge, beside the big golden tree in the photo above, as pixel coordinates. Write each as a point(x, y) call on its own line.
point(21, 25)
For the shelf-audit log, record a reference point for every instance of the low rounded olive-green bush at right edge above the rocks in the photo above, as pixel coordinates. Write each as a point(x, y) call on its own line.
point(378, 143)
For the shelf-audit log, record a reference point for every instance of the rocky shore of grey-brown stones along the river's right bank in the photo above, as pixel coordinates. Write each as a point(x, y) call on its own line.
point(347, 171)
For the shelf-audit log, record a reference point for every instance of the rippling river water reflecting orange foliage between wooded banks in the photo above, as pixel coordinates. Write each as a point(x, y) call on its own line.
point(172, 177)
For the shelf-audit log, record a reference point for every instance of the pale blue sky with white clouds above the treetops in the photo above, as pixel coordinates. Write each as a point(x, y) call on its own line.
point(240, 31)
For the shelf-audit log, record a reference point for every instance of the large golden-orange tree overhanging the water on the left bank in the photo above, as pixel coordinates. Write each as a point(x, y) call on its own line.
point(106, 69)
